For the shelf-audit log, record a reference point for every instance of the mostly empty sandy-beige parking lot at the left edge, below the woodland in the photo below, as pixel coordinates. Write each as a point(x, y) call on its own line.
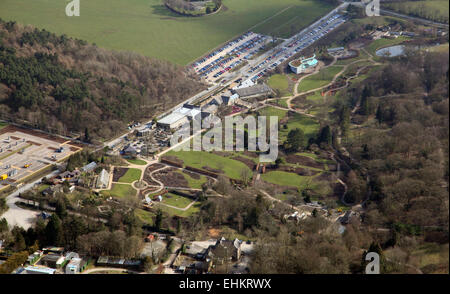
point(23, 153)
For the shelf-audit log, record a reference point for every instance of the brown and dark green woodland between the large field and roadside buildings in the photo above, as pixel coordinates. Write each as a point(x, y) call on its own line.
point(64, 85)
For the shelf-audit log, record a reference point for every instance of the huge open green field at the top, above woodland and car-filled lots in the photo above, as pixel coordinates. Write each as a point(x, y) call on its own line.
point(149, 28)
